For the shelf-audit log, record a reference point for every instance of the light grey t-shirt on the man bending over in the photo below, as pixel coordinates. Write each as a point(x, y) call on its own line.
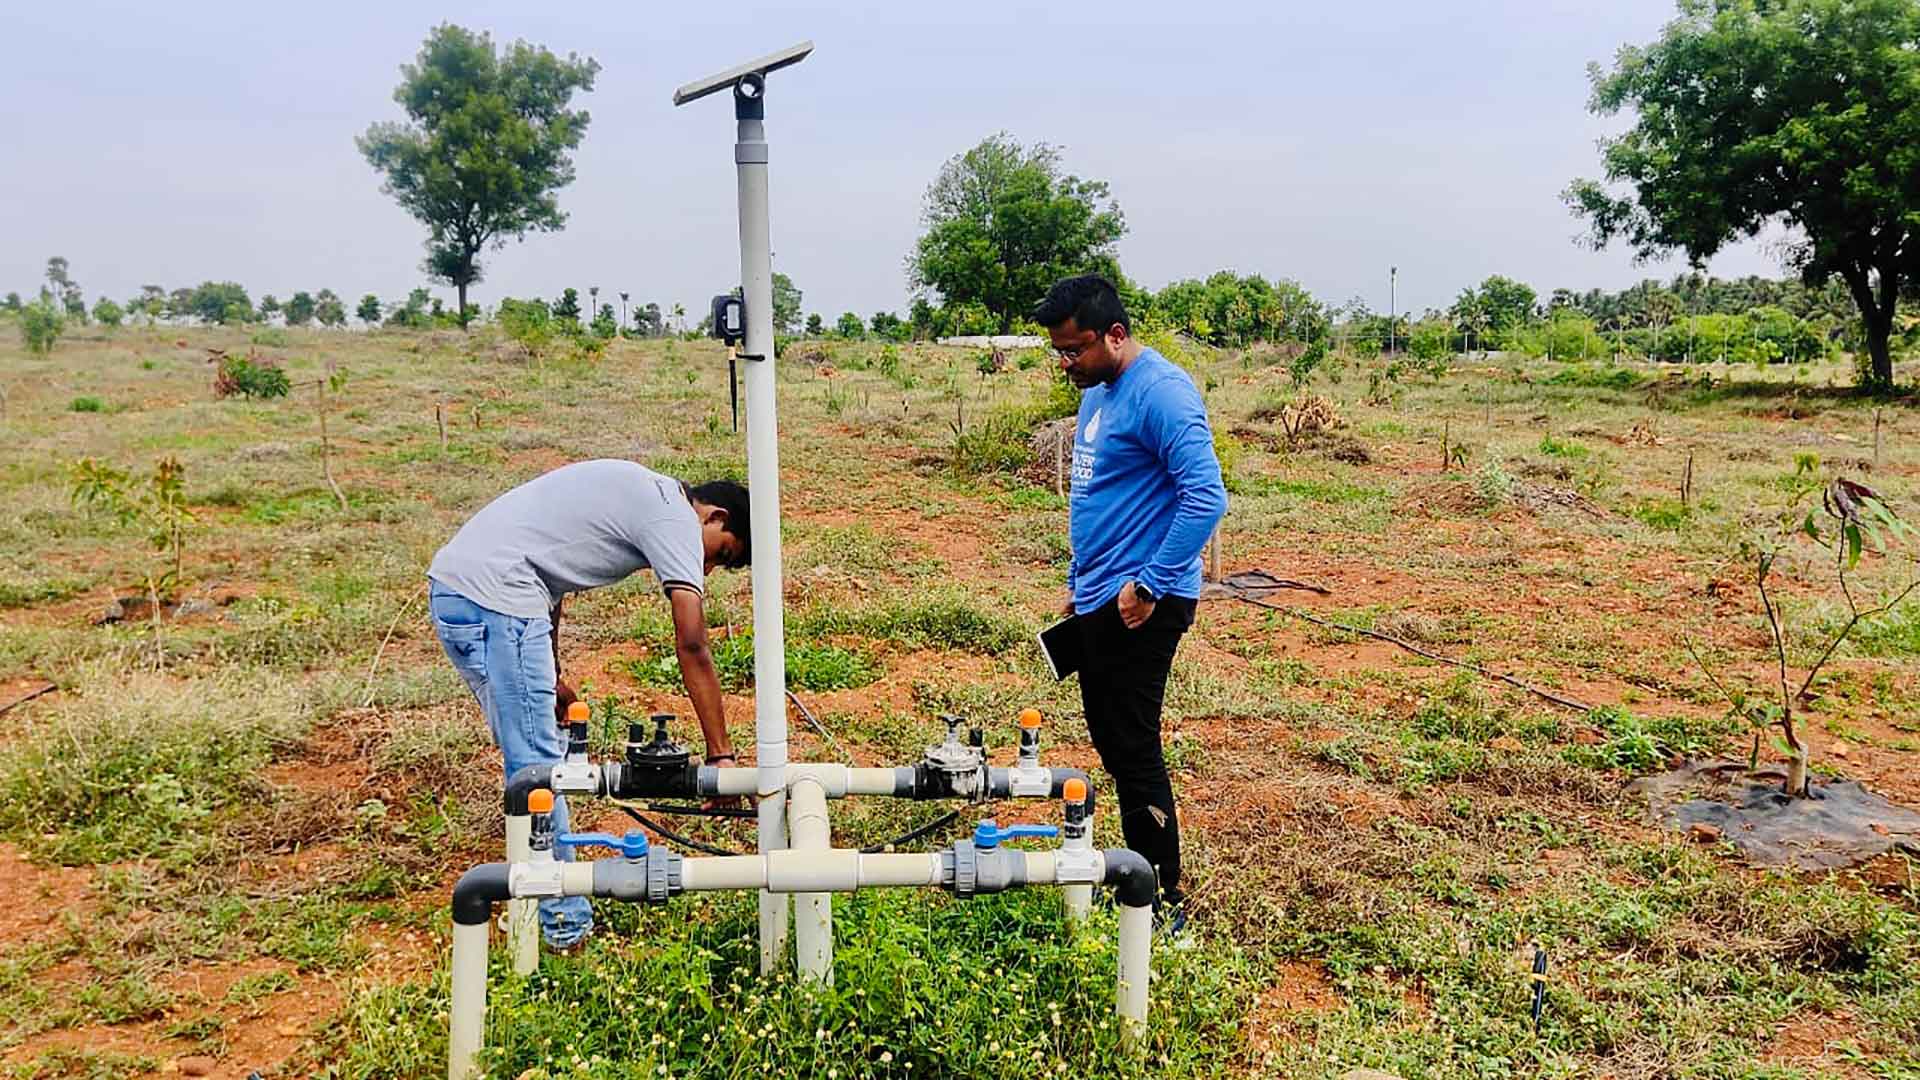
point(577, 528)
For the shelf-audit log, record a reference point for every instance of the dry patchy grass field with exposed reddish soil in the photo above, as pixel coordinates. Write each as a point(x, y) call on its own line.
point(1393, 829)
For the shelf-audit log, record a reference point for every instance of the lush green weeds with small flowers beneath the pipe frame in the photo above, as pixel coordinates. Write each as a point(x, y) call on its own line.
point(924, 989)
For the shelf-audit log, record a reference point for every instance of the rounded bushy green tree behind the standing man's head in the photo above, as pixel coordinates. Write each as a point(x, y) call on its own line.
point(1005, 224)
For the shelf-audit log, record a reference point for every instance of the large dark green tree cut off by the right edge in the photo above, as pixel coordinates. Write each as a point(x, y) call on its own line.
point(1773, 112)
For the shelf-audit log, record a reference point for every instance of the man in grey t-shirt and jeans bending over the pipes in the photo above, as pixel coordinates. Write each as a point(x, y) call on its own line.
point(496, 597)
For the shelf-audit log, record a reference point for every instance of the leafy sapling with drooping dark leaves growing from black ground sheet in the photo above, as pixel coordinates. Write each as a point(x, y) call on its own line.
point(1850, 522)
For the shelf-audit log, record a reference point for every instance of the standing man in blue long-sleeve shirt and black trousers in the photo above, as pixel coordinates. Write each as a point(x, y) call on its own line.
point(1147, 497)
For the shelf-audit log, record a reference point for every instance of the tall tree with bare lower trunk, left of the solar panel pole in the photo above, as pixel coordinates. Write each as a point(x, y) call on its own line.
point(485, 149)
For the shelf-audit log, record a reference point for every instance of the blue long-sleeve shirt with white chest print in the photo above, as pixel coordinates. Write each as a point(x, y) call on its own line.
point(1147, 489)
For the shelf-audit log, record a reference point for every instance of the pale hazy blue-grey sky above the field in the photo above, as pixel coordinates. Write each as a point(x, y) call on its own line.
point(1326, 143)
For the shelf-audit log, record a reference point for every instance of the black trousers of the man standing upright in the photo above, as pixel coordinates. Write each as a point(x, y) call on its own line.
point(1124, 681)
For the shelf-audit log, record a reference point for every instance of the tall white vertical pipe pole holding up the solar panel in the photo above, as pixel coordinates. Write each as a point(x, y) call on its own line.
point(763, 493)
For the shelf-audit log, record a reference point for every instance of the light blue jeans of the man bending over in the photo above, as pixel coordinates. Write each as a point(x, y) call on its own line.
point(508, 664)
